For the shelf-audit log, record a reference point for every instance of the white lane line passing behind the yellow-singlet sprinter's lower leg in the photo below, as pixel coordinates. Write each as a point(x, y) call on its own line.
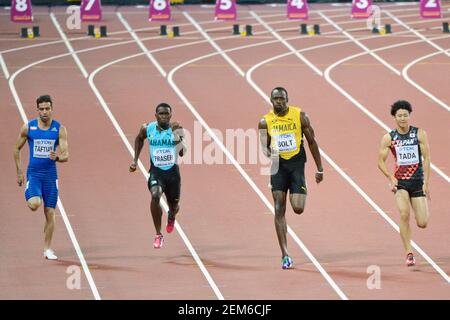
point(240, 169)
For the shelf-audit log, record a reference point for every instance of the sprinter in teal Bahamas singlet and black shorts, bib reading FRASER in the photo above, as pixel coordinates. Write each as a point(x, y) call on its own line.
point(166, 144)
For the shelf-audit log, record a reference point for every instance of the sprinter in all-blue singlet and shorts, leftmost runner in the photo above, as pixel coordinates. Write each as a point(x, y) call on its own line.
point(44, 135)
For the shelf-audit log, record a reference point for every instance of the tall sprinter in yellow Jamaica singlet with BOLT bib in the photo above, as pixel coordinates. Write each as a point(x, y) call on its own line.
point(281, 133)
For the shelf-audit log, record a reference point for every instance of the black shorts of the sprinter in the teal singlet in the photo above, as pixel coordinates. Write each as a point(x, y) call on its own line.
point(168, 180)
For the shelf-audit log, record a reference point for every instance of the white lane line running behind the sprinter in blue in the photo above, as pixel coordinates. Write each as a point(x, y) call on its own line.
point(66, 220)
